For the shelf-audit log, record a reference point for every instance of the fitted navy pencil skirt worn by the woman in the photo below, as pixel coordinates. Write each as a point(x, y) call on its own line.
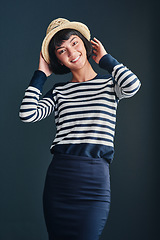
point(76, 198)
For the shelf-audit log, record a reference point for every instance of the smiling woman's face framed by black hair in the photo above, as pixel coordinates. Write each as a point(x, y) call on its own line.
point(72, 53)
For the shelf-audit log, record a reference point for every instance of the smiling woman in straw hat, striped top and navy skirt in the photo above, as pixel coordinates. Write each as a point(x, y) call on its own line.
point(77, 187)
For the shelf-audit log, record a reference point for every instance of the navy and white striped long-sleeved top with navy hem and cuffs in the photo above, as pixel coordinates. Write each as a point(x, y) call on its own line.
point(85, 112)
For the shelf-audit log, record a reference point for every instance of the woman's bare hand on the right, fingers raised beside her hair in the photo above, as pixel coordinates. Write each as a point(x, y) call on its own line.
point(98, 50)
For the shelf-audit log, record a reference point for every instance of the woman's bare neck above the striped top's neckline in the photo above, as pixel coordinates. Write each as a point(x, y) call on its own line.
point(84, 74)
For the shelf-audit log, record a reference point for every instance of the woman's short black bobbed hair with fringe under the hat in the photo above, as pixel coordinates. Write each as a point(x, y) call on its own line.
point(57, 40)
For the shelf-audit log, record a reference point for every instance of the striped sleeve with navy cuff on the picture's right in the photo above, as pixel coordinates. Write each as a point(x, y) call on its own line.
point(126, 82)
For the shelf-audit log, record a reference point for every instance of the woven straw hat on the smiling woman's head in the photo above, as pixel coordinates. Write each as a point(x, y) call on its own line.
point(57, 25)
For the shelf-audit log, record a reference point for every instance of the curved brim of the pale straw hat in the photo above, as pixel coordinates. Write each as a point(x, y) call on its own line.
point(82, 28)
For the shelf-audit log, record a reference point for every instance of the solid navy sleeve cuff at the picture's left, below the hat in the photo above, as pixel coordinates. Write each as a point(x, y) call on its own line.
point(38, 80)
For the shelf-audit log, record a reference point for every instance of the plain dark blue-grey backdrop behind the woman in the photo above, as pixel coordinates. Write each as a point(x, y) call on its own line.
point(129, 31)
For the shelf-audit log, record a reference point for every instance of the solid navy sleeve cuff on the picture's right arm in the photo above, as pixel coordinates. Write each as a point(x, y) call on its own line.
point(107, 62)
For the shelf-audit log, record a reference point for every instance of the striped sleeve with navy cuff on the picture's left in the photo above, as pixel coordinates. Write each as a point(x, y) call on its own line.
point(32, 108)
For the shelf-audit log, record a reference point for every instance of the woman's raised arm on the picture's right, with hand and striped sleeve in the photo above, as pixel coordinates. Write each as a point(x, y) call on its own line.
point(126, 82)
